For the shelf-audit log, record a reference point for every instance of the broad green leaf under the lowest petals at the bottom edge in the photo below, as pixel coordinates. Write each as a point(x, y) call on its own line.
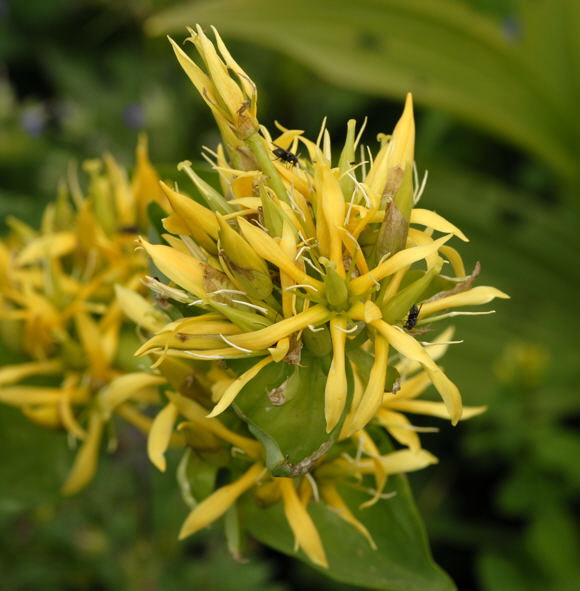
point(402, 561)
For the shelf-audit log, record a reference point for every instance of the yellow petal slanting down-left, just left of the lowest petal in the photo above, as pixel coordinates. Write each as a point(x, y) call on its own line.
point(219, 502)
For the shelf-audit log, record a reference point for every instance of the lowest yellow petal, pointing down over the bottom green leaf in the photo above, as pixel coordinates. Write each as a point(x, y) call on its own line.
point(305, 533)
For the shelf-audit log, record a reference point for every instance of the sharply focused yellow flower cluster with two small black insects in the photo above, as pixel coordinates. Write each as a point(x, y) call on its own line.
point(301, 261)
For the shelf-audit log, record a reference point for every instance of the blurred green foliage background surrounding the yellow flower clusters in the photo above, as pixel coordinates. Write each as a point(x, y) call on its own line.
point(497, 84)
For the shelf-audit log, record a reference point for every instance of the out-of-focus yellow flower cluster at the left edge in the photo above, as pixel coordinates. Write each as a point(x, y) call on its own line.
point(57, 290)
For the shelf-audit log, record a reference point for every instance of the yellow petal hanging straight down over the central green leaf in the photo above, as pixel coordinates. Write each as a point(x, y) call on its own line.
point(336, 385)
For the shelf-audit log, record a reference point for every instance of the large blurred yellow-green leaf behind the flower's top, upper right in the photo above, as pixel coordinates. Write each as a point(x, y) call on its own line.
point(522, 85)
